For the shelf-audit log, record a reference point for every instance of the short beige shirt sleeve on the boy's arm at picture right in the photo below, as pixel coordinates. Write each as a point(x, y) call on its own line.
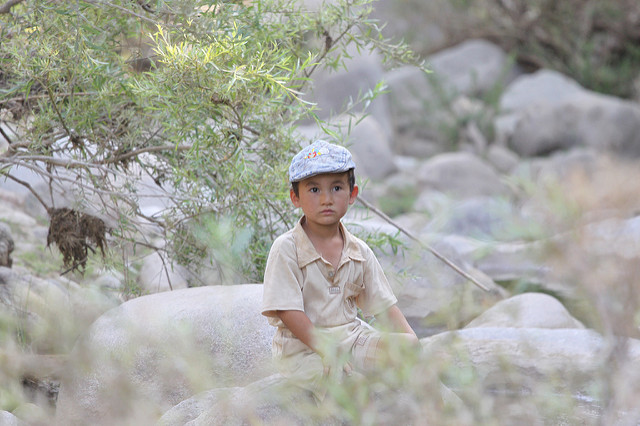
point(378, 295)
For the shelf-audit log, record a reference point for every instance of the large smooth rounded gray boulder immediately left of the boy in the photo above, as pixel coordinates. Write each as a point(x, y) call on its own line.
point(150, 353)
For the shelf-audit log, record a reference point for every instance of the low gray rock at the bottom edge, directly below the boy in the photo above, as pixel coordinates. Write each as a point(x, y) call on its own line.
point(276, 401)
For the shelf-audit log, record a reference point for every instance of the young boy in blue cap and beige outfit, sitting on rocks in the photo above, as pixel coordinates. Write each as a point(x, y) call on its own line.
point(318, 274)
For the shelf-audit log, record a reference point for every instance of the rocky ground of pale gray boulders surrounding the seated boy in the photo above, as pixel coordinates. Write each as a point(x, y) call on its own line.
point(544, 213)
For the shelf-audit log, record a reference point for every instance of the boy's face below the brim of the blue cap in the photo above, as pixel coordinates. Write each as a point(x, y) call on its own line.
point(324, 198)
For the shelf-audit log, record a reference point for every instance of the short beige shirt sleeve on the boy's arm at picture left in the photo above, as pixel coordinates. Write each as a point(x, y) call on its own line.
point(283, 278)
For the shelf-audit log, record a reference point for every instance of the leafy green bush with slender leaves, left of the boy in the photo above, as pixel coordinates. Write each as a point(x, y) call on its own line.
point(191, 101)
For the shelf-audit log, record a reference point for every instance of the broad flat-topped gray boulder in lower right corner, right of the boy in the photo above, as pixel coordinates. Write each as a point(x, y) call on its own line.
point(525, 372)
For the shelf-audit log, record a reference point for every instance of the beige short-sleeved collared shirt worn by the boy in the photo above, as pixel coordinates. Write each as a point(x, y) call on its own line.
point(298, 278)
